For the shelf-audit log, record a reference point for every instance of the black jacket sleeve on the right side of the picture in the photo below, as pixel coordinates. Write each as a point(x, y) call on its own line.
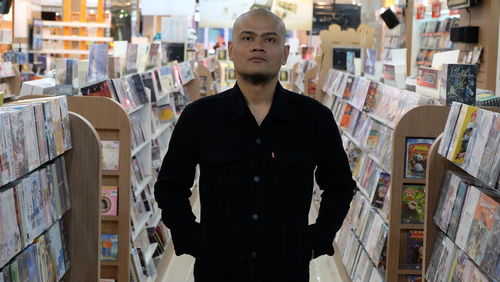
point(334, 177)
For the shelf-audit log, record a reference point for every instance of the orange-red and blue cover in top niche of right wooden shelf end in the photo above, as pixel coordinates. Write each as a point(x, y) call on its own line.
point(416, 156)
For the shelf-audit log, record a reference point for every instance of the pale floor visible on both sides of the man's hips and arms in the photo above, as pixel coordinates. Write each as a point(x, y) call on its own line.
point(322, 269)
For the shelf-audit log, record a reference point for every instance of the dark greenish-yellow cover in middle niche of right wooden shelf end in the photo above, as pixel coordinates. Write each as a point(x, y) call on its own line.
point(413, 204)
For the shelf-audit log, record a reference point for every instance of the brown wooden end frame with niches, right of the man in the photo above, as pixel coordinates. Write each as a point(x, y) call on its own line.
point(421, 122)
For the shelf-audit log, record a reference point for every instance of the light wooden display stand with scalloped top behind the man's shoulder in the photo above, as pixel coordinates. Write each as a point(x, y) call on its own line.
point(363, 37)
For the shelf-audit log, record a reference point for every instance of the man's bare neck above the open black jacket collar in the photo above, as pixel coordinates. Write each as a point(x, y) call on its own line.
point(258, 95)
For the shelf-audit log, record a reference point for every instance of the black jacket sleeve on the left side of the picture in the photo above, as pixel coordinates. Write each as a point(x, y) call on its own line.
point(172, 189)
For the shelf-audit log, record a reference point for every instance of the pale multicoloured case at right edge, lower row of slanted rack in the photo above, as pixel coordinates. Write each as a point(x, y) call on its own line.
point(481, 227)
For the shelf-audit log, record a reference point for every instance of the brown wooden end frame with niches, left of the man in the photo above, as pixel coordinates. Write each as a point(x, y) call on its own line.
point(112, 123)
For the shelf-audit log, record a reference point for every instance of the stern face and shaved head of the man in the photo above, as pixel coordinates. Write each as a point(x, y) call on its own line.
point(258, 47)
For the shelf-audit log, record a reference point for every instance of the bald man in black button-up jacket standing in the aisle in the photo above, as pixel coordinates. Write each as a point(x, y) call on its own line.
point(257, 145)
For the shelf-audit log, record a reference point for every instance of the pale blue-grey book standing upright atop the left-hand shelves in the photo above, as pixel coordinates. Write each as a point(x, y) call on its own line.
point(98, 62)
